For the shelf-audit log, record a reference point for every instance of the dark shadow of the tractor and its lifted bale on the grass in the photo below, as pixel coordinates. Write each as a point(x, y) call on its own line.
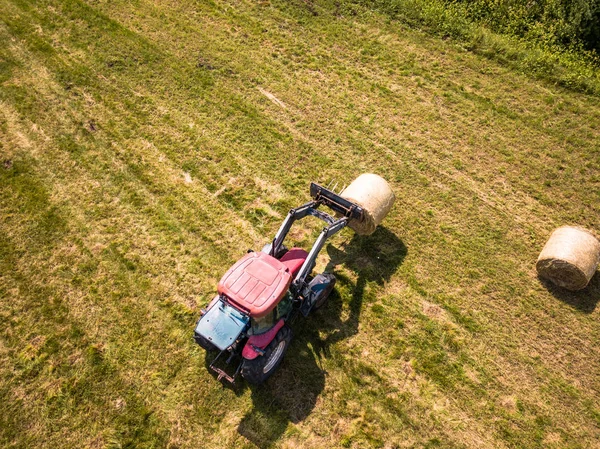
point(292, 392)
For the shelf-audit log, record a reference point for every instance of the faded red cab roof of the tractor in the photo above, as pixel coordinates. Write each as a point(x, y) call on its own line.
point(256, 283)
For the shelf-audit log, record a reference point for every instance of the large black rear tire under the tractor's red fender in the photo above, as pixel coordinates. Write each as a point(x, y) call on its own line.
point(258, 370)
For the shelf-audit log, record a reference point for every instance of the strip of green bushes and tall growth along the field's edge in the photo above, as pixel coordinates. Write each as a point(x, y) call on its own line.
point(556, 40)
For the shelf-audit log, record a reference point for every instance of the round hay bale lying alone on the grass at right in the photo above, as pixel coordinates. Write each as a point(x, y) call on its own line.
point(570, 257)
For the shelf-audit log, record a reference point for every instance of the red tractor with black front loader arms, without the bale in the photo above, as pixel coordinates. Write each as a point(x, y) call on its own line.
point(248, 319)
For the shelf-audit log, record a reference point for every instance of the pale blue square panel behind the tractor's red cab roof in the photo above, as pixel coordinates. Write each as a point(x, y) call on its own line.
point(222, 325)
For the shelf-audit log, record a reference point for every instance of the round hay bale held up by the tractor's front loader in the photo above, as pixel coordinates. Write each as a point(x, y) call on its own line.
point(375, 196)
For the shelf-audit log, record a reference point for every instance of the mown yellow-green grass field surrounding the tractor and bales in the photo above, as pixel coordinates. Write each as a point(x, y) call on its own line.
point(146, 145)
